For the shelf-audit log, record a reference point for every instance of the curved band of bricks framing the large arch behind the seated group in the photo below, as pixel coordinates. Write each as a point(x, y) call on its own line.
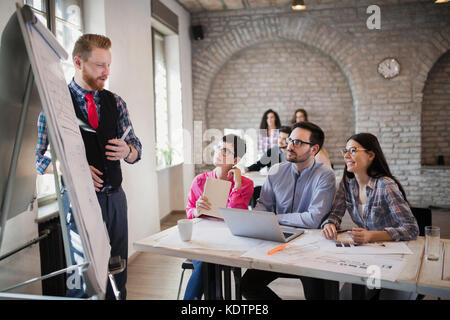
point(338, 46)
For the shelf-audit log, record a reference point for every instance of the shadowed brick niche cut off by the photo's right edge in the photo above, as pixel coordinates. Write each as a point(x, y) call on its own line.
point(436, 113)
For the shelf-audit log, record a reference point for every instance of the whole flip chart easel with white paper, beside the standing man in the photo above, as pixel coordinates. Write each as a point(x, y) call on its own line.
point(31, 80)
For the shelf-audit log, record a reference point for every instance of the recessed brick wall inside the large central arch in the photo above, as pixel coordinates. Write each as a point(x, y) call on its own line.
point(283, 76)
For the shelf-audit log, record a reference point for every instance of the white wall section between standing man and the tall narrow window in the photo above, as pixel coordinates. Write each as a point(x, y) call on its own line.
point(128, 26)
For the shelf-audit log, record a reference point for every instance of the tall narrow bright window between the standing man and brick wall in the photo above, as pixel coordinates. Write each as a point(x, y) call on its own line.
point(167, 90)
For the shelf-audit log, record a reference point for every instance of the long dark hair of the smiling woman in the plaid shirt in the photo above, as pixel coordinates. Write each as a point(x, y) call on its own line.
point(378, 168)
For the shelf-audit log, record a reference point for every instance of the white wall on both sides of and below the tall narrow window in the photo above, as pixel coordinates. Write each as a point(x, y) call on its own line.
point(151, 195)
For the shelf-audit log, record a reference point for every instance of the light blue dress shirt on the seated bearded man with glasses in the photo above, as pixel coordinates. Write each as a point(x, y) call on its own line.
point(300, 199)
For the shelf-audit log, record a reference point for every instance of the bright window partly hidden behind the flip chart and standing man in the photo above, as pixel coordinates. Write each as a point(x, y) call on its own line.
point(64, 19)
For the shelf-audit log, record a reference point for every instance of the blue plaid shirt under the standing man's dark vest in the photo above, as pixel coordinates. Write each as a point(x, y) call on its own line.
point(43, 160)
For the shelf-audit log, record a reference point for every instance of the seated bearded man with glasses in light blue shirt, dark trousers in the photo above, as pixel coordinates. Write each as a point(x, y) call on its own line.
point(301, 192)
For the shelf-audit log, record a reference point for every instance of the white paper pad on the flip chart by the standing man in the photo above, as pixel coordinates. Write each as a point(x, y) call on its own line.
point(62, 122)
